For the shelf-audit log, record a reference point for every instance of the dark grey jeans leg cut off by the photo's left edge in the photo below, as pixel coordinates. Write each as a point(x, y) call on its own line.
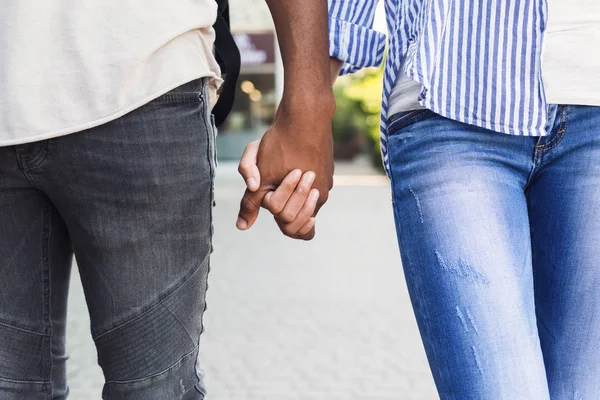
point(35, 262)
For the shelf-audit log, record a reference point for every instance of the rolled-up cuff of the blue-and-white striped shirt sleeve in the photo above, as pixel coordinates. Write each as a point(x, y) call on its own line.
point(357, 46)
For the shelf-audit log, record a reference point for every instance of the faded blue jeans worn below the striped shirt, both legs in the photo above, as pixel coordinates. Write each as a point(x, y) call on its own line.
point(500, 243)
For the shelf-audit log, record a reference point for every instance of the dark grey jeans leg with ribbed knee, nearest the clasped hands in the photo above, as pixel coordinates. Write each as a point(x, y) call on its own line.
point(136, 194)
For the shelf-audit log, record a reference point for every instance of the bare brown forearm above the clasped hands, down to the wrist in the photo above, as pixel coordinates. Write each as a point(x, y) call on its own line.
point(302, 32)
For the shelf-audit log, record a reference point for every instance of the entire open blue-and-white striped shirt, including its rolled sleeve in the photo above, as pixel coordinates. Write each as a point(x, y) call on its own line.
point(478, 61)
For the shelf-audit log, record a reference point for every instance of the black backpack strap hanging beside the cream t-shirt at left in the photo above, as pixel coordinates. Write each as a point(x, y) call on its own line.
point(228, 57)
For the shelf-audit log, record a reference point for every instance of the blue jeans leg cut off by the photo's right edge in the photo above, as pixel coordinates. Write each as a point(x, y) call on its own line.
point(564, 208)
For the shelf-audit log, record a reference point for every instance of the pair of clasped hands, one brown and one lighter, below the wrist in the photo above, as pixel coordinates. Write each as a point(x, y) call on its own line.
point(299, 140)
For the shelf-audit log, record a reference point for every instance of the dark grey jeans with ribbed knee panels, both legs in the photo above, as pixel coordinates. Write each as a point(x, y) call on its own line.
point(132, 199)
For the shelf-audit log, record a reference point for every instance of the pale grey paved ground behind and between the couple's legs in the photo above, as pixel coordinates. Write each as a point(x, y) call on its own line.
point(324, 320)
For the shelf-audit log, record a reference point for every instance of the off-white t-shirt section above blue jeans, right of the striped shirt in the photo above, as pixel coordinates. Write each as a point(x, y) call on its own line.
point(570, 62)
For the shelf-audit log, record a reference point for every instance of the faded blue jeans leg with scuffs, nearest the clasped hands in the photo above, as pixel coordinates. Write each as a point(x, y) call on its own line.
point(463, 230)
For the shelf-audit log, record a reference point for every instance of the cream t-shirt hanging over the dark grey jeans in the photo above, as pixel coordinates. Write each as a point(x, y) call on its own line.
point(69, 65)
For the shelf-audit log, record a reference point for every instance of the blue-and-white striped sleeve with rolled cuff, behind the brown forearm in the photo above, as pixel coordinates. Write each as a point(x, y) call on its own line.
point(351, 37)
